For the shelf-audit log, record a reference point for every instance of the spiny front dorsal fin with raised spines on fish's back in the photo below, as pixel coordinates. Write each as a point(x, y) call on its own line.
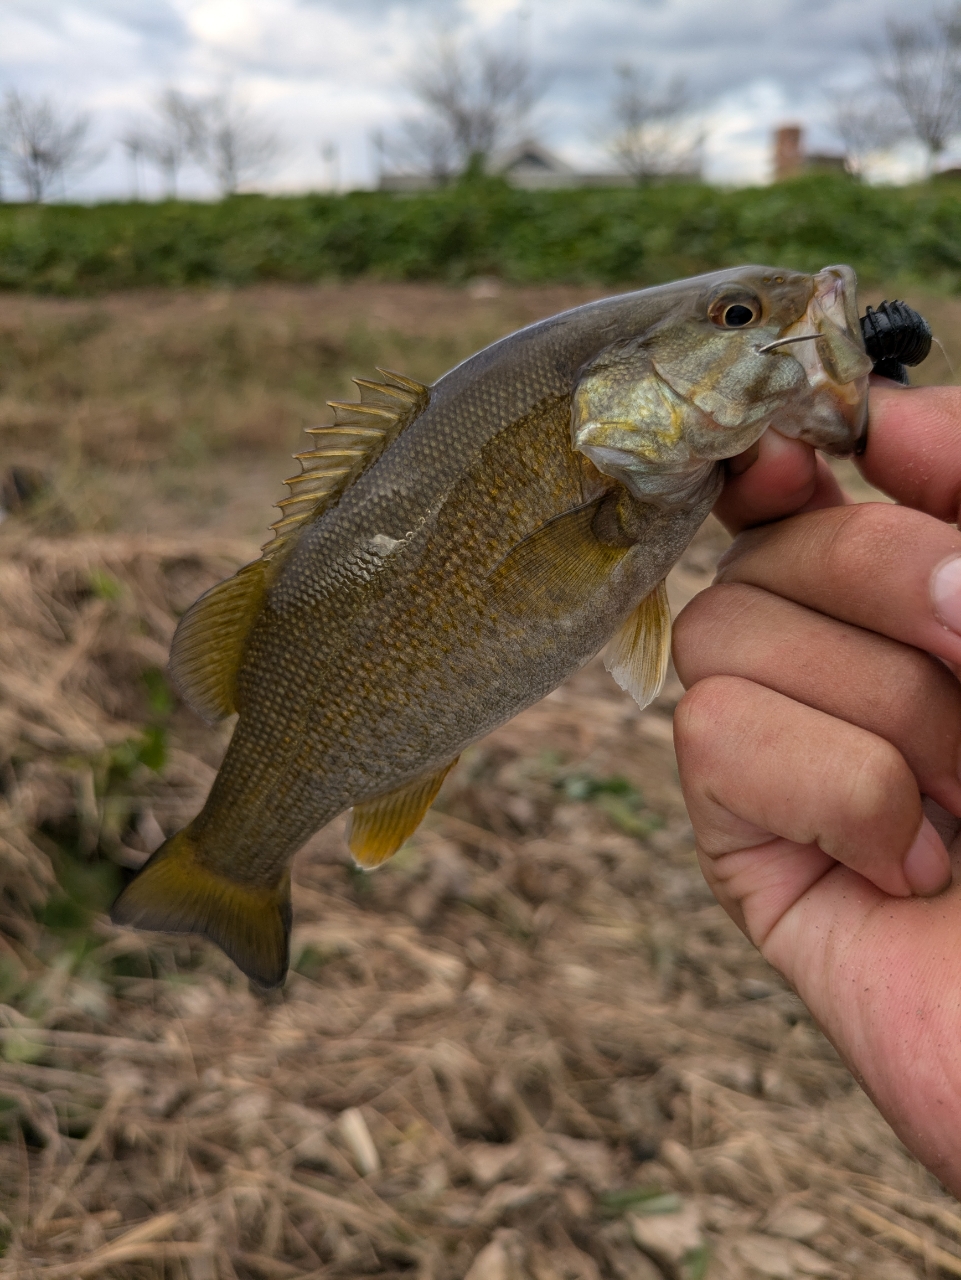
point(358, 437)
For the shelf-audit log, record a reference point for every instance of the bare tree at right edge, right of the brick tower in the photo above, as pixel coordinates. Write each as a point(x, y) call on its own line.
point(919, 66)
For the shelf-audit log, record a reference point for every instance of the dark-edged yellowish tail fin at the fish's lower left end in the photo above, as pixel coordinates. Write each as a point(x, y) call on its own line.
point(175, 893)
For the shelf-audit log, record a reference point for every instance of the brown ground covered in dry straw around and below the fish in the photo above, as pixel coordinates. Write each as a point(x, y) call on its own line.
point(530, 1048)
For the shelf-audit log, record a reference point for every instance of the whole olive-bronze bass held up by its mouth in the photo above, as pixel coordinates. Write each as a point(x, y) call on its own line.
point(449, 555)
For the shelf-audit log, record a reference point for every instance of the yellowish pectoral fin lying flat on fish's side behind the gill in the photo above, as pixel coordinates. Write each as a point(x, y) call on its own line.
point(557, 568)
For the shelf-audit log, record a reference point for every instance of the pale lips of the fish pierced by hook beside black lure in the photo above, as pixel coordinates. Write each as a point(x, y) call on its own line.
point(835, 362)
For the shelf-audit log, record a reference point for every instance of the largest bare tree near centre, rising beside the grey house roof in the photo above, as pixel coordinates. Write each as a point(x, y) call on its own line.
point(475, 99)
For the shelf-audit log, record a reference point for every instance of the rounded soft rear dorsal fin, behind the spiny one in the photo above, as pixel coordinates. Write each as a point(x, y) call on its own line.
point(208, 644)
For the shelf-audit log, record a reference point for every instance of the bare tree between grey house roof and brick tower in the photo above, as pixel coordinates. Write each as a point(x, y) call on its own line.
point(656, 134)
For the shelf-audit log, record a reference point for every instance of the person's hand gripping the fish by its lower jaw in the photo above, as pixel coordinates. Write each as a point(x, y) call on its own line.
point(822, 708)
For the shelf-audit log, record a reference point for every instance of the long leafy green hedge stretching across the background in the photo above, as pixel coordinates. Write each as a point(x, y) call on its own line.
point(487, 228)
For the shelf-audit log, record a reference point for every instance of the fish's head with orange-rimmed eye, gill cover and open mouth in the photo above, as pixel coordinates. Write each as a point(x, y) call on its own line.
point(730, 356)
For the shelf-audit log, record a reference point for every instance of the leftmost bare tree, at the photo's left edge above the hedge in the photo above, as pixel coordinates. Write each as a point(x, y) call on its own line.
point(42, 145)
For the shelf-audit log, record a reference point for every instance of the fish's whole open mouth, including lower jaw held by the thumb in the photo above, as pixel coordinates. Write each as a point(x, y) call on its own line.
point(829, 345)
